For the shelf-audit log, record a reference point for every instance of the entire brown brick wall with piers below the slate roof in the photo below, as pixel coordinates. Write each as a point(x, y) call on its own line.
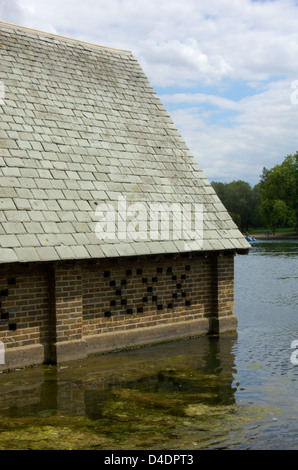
point(63, 311)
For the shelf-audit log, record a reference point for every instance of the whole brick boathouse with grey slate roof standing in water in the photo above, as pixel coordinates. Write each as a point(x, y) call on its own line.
point(110, 234)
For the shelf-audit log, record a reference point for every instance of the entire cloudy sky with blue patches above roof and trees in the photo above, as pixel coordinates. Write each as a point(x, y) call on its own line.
point(225, 70)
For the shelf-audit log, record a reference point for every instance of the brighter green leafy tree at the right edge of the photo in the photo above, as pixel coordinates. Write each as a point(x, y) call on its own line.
point(279, 204)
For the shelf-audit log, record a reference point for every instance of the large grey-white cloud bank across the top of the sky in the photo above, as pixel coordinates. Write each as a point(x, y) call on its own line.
point(181, 41)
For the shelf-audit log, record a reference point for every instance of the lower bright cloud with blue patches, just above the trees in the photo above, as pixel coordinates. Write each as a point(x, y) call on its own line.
point(261, 130)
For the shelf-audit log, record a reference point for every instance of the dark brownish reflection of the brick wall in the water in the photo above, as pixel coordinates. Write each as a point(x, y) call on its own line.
point(198, 371)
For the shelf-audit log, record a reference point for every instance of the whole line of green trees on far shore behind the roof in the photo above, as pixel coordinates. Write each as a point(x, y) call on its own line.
point(270, 204)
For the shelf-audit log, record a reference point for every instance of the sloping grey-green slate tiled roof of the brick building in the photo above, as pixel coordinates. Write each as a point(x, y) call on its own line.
point(80, 125)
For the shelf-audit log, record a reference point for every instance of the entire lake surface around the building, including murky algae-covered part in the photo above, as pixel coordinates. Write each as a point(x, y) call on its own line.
point(238, 391)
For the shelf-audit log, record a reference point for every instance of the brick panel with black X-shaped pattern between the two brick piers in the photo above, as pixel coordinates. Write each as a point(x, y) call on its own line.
point(123, 296)
